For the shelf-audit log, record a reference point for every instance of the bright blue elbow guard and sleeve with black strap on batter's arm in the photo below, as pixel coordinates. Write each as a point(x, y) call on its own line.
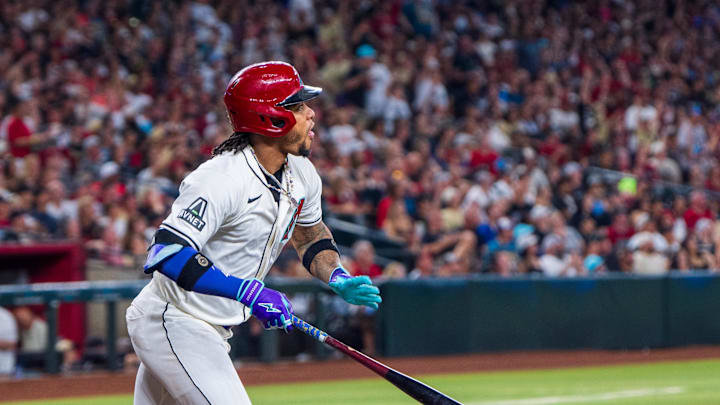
point(191, 270)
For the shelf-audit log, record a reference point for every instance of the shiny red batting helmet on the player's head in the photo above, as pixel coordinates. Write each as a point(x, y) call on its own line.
point(256, 95)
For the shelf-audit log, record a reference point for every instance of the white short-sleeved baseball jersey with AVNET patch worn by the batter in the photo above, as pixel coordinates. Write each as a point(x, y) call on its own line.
point(227, 211)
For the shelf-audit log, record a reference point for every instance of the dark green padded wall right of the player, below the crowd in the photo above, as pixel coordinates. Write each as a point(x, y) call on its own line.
point(443, 316)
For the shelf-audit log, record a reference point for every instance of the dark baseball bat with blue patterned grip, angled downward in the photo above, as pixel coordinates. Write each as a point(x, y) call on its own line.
point(421, 392)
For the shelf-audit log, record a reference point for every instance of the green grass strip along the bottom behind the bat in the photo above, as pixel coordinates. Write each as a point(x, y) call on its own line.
point(687, 383)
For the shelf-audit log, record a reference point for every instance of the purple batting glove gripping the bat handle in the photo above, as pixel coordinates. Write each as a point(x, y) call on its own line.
point(271, 307)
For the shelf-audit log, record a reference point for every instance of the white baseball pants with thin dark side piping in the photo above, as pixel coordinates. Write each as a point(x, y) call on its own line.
point(184, 360)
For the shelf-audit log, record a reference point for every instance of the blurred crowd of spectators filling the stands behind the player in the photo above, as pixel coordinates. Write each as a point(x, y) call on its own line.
point(504, 137)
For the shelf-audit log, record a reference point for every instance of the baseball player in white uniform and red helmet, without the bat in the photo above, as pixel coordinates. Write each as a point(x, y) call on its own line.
point(233, 216)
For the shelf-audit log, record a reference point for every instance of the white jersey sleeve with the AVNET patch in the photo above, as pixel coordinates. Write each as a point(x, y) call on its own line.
point(203, 206)
